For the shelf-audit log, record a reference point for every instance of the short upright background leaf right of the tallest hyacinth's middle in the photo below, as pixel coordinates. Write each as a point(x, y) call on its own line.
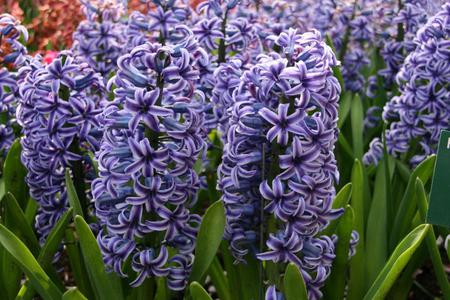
point(357, 118)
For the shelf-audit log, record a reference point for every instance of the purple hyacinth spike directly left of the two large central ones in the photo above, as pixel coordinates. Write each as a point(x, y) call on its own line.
point(57, 111)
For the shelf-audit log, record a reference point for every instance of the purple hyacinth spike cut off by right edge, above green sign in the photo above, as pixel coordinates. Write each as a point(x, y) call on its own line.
point(417, 116)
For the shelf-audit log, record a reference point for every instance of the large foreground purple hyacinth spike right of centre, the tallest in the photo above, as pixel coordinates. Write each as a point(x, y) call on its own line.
point(278, 170)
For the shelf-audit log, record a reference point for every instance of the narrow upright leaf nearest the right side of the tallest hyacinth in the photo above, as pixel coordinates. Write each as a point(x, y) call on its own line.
point(357, 284)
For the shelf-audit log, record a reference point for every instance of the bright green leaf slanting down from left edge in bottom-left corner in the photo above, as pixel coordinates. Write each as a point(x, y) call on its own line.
point(24, 258)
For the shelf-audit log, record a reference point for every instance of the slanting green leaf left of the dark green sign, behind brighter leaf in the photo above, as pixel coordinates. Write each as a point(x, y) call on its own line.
point(407, 208)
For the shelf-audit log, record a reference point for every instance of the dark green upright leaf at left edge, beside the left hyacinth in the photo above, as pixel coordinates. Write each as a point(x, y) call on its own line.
point(14, 175)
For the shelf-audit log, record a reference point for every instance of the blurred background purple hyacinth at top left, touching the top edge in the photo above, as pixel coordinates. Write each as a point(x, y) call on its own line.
point(100, 38)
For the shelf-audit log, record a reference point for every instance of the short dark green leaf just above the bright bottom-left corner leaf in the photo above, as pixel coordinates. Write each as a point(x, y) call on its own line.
point(19, 225)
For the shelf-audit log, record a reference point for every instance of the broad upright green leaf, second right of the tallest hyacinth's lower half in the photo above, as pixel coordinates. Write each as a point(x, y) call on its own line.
point(376, 232)
